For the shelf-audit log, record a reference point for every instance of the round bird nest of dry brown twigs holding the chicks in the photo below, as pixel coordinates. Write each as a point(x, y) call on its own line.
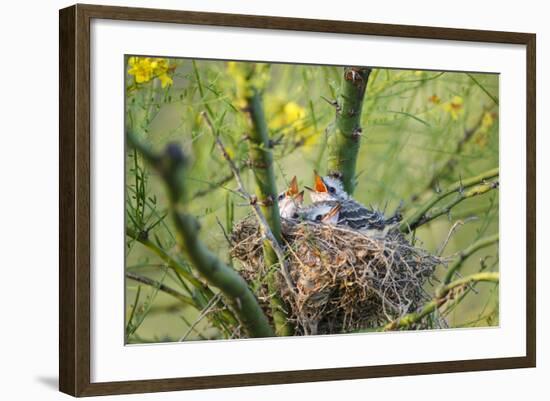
point(343, 280)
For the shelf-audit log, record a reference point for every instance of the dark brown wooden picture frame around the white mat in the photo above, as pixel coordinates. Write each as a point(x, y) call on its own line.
point(74, 199)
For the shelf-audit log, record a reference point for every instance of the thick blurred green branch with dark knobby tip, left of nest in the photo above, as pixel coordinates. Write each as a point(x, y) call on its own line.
point(171, 165)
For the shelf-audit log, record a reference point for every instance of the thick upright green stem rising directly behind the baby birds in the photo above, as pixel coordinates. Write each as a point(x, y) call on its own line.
point(344, 143)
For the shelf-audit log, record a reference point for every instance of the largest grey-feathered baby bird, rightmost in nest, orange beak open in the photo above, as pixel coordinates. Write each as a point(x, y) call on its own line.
point(352, 213)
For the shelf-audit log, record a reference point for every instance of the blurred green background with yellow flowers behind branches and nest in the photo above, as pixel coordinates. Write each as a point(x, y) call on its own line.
point(422, 130)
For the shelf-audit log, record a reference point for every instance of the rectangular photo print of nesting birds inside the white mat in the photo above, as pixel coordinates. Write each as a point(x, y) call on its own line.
point(268, 199)
